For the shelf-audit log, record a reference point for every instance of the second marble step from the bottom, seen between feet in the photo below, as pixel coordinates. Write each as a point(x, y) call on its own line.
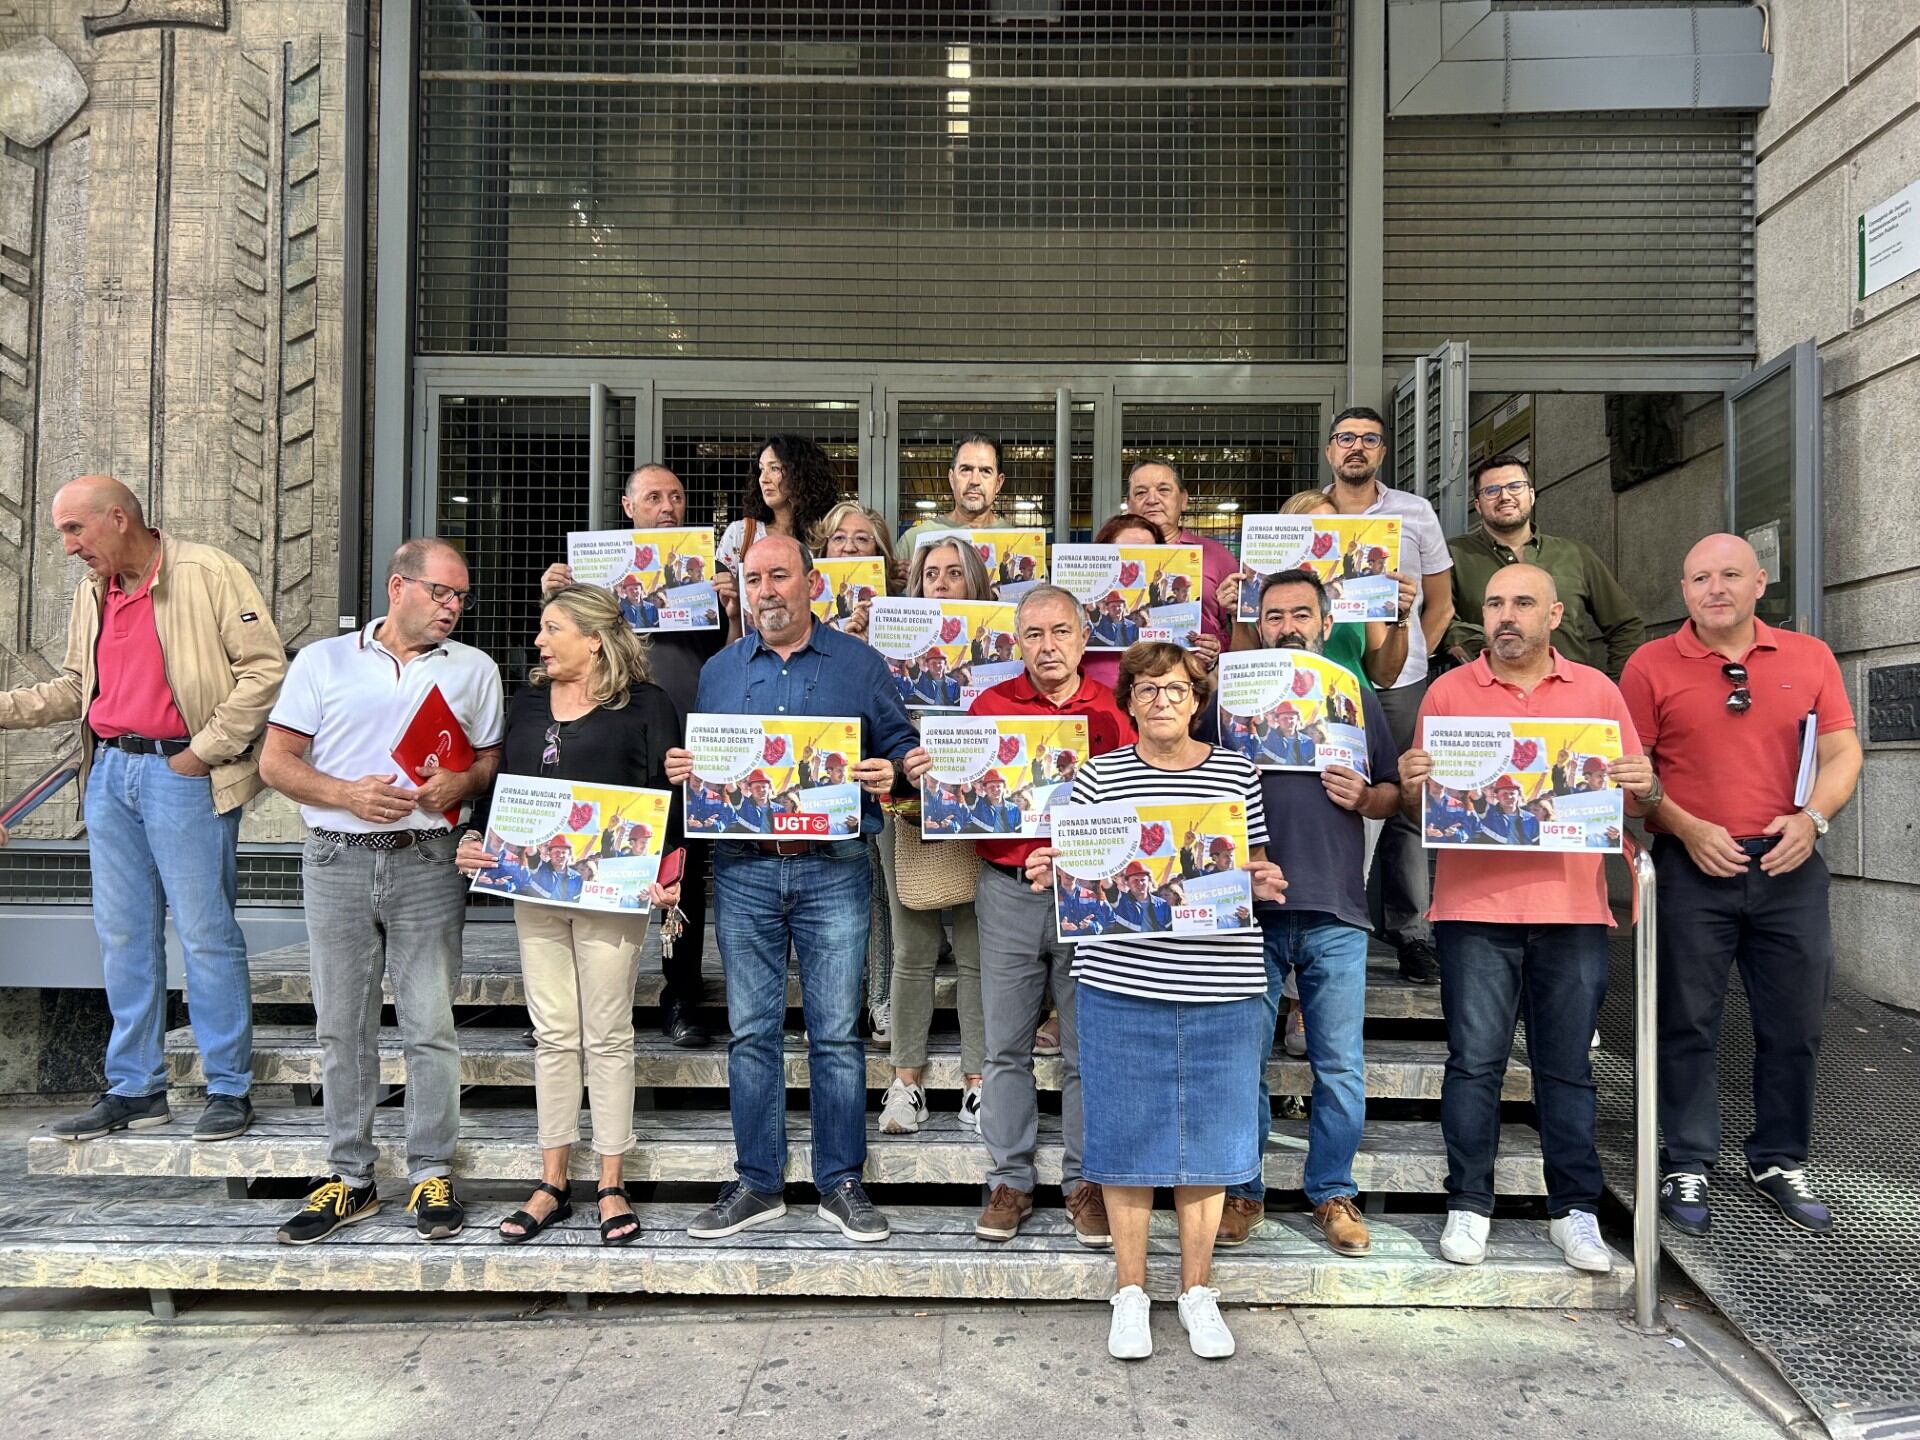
point(1404, 1157)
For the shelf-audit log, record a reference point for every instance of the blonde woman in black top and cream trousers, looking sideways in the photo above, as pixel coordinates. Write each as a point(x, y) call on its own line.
point(590, 715)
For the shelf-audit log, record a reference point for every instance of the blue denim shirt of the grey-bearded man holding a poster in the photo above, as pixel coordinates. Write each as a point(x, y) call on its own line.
point(830, 675)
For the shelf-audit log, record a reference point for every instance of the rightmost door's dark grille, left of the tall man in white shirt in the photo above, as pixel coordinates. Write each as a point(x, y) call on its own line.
point(1236, 460)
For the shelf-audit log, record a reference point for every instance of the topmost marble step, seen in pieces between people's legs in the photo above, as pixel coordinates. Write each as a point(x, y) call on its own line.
point(491, 974)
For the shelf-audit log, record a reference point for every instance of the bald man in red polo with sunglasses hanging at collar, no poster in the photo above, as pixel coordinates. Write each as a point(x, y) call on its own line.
point(1721, 708)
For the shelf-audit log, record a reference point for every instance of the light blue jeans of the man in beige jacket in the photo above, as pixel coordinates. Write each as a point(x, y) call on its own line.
point(156, 842)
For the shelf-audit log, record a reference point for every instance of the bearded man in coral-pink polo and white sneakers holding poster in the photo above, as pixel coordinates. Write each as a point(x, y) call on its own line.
point(1524, 926)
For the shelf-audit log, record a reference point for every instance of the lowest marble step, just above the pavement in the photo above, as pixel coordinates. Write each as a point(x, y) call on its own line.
point(178, 1245)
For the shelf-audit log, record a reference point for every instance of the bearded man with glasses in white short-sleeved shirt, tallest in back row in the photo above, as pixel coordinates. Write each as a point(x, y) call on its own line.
point(1399, 884)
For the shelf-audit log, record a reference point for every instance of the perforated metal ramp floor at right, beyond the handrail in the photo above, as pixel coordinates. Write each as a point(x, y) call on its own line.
point(1838, 1314)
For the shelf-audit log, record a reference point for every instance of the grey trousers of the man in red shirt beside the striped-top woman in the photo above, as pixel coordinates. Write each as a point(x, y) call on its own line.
point(1019, 963)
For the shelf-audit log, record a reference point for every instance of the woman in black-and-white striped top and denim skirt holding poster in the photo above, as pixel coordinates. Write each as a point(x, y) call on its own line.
point(1172, 1026)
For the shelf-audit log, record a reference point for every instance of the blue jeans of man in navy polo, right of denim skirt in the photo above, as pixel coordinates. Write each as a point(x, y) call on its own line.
point(1330, 961)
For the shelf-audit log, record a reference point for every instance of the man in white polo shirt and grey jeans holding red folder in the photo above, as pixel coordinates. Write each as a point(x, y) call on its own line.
point(381, 888)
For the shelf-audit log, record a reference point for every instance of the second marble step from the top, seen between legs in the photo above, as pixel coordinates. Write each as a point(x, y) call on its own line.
point(289, 1055)
